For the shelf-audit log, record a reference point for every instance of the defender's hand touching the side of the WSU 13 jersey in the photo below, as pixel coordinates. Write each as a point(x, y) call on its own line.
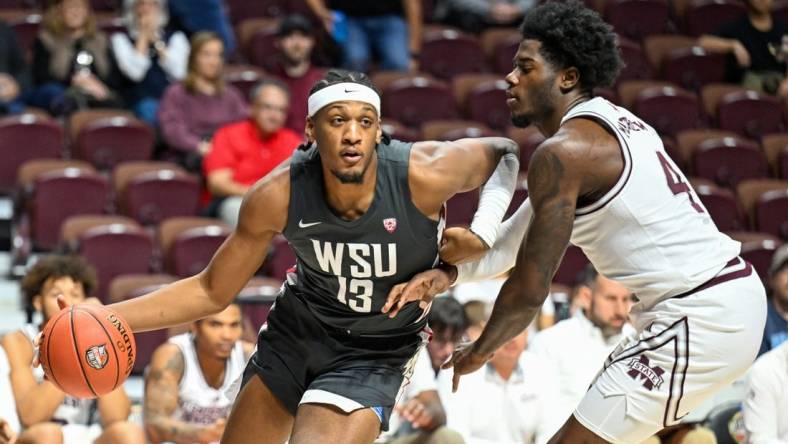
point(422, 288)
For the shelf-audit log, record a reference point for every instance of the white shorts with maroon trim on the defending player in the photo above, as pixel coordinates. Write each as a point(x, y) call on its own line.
point(684, 349)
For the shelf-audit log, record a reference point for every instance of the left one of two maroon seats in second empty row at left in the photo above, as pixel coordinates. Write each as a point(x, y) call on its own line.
point(59, 194)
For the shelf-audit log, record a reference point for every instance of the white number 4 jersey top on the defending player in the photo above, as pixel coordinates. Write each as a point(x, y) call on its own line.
point(649, 232)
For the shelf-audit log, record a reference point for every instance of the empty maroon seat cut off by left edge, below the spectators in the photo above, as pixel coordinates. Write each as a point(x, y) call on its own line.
point(26, 137)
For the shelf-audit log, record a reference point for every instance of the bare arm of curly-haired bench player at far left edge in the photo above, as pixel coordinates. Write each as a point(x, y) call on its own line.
point(35, 402)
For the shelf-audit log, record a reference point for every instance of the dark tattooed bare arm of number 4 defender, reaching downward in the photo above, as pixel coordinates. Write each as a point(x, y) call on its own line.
point(554, 184)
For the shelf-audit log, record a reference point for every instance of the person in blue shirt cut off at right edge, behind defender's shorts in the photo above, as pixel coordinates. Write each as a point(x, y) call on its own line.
point(776, 330)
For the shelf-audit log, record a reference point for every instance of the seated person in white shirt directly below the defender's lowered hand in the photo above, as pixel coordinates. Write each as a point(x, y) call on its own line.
point(510, 400)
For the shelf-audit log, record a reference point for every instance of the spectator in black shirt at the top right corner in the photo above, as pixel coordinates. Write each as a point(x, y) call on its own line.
point(759, 45)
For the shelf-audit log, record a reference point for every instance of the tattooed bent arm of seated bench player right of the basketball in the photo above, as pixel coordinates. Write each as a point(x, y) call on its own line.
point(161, 399)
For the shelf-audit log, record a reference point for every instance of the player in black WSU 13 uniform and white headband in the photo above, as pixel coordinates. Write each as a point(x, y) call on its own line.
point(362, 213)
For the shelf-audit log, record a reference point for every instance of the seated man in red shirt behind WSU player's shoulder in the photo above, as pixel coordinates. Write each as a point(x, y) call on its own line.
point(244, 152)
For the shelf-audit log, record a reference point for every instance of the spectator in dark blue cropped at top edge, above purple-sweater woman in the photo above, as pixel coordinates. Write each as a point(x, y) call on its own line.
point(193, 16)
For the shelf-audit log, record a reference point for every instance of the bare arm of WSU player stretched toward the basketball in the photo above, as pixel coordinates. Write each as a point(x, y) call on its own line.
point(263, 215)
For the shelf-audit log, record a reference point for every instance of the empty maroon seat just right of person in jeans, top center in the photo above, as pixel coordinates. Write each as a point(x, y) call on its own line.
point(447, 52)
